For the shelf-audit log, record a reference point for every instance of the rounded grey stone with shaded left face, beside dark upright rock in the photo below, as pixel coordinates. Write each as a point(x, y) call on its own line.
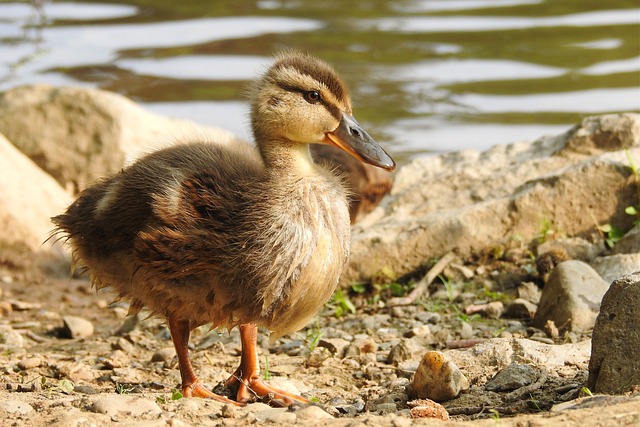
point(571, 297)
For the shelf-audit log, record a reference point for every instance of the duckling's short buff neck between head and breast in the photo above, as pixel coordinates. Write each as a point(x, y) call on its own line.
point(287, 158)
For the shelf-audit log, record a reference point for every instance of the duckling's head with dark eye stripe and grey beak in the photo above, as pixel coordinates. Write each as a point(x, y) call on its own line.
point(301, 100)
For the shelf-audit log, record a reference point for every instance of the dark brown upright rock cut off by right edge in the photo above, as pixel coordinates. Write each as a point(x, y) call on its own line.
point(615, 356)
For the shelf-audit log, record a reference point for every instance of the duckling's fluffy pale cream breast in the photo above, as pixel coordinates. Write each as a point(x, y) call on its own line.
point(309, 232)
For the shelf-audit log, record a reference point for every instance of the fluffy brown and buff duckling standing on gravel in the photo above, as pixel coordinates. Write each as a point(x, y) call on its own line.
point(232, 235)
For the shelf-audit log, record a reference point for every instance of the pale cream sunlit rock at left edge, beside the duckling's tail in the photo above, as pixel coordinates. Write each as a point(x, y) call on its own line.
point(29, 198)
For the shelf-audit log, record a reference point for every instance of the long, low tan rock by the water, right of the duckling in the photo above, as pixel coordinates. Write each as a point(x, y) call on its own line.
point(469, 201)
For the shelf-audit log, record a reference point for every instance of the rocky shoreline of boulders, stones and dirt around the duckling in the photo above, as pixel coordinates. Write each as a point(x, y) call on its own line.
point(529, 237)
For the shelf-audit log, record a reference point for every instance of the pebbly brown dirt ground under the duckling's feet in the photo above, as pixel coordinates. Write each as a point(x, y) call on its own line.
point(61, 379)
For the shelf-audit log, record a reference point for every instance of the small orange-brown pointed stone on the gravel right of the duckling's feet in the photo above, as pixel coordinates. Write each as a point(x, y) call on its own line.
point(437, 378)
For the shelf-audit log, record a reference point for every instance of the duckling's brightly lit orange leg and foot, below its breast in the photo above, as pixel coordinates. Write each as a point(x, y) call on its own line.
point(247, 377)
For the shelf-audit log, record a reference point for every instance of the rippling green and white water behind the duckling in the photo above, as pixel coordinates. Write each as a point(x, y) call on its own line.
point(426, 75)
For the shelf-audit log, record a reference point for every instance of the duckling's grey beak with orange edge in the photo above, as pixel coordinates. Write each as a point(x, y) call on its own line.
point(350, 137)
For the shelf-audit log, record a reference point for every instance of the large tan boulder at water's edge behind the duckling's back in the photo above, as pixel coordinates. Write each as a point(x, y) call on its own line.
point(79, 134)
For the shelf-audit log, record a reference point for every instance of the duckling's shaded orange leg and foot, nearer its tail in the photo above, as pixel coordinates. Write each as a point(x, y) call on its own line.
point(191, 386)
